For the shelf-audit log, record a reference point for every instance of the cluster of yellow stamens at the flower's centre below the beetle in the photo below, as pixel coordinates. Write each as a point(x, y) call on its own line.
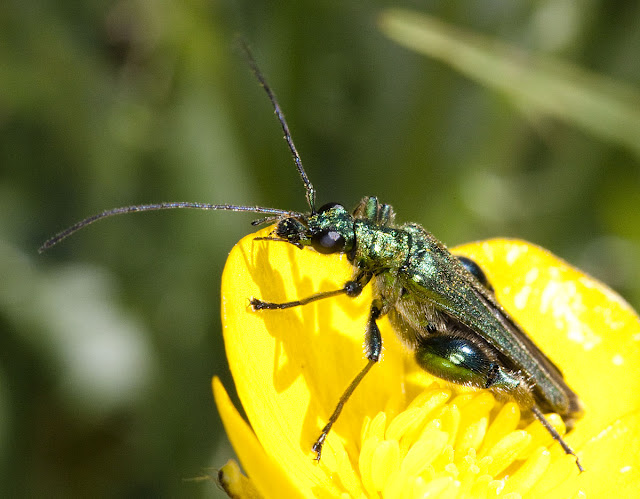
point(463, 446)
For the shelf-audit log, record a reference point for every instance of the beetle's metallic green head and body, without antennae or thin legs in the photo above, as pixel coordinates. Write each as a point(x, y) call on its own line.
point(443, 313)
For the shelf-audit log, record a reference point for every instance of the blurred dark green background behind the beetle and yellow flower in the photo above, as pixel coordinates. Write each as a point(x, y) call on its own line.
point(108, 342)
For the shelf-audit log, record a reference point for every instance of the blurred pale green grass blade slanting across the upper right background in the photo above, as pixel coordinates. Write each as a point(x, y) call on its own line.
point(599, 105)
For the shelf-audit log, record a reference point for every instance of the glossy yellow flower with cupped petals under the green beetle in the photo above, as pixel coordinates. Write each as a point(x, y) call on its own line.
point(404, 433)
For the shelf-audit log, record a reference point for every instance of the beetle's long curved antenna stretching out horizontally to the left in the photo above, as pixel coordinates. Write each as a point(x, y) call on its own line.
point(272, 212)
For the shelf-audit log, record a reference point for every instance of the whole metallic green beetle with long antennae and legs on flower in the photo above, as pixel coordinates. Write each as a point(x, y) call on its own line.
point(441, 306)
